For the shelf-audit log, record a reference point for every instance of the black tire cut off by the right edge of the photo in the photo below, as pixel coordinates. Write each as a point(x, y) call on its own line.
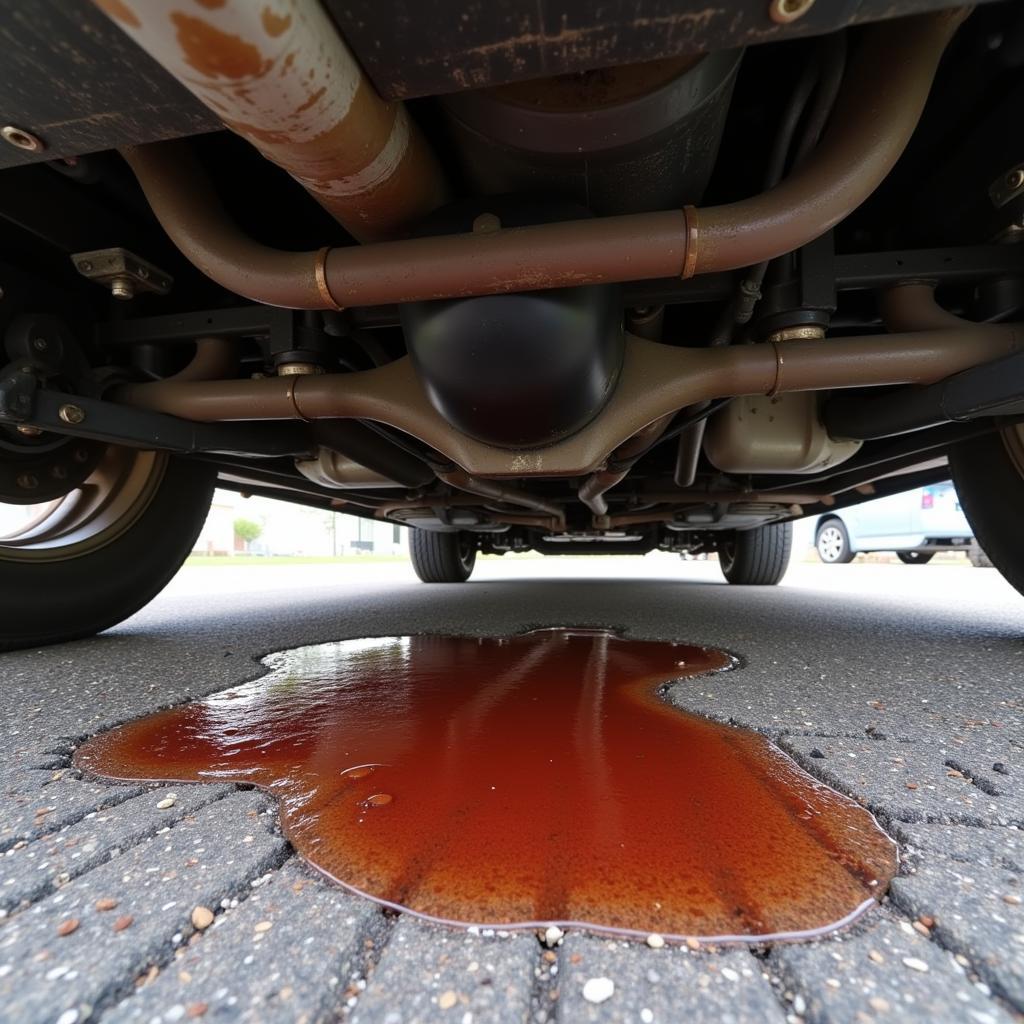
point(989, 475)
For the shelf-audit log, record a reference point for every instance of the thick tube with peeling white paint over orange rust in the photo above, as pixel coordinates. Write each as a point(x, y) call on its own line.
point(278, 73)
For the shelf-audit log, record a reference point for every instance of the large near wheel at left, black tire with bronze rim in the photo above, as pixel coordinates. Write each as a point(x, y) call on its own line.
point(80, 563)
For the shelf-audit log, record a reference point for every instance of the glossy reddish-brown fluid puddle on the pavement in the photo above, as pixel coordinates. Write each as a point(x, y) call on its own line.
point(516, 783)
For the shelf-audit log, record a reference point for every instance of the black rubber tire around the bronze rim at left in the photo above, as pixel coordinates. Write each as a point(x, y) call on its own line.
point(70, 598)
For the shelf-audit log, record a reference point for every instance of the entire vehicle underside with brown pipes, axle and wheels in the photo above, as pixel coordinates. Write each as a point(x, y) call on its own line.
point(665, 281)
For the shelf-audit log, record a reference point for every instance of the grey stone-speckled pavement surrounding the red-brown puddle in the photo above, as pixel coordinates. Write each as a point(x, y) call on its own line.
point(901, 687)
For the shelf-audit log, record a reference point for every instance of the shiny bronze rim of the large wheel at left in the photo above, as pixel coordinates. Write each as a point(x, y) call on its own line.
point(92, 516)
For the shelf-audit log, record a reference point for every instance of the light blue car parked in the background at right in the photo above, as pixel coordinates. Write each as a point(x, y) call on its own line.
point(915, 525)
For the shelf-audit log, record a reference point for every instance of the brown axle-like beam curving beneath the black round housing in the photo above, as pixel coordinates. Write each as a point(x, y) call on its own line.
point(656, 380)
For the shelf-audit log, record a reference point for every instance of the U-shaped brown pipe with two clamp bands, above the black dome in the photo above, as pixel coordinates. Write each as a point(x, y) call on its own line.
point(880, 104)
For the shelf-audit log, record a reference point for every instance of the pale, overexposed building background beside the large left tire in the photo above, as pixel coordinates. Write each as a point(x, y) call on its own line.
point(293, 530)
